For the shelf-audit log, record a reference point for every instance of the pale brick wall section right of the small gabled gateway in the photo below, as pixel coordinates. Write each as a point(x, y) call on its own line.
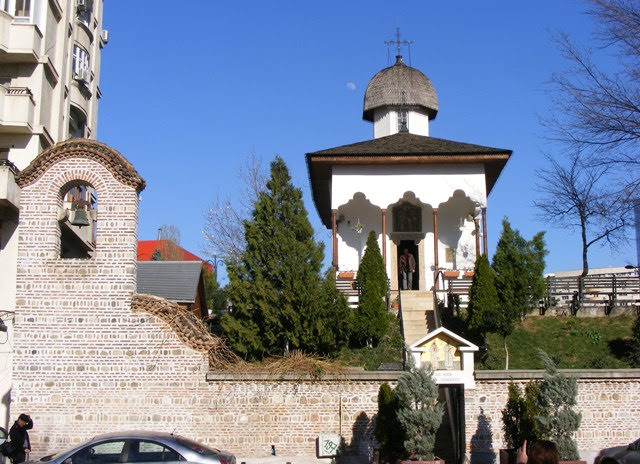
point(608, 400)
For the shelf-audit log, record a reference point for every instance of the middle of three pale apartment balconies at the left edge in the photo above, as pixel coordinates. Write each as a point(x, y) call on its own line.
point(17, 107)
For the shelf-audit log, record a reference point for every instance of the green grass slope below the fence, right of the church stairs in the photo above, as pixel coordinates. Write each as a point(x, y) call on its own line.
point(574, 343)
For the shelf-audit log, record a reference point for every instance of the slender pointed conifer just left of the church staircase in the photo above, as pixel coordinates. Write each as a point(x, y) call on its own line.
point(372, 319)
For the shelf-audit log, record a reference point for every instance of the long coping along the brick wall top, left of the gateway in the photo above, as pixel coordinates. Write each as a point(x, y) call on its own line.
point(350, 376)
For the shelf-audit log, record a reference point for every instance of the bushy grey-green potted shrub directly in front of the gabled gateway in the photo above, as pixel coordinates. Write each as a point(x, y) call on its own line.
point(419, 414)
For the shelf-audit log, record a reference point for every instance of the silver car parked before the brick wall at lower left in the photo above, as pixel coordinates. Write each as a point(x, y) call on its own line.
point(140, 447)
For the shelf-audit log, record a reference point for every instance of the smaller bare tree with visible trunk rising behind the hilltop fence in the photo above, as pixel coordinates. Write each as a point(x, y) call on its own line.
point(577, 196)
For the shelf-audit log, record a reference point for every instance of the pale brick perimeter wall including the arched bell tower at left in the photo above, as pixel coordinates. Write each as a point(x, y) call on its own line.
point(85, 363)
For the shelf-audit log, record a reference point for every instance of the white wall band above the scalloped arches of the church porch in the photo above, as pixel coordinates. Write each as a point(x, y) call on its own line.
point(384, 185)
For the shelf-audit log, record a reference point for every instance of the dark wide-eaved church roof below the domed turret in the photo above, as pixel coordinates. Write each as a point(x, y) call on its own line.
point(398, 149)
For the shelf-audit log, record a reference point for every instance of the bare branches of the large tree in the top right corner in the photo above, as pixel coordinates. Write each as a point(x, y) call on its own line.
point(597, 109)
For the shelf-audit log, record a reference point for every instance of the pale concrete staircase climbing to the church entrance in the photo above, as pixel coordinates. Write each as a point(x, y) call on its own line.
point(418, 316)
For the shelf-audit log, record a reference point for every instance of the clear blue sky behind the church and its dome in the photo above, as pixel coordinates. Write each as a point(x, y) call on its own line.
point(189, 92)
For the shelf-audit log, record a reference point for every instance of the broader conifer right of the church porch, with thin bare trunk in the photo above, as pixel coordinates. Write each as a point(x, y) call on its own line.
point(518, 265)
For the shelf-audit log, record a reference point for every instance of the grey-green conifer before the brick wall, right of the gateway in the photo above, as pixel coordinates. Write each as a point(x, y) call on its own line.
point(558, 396)
